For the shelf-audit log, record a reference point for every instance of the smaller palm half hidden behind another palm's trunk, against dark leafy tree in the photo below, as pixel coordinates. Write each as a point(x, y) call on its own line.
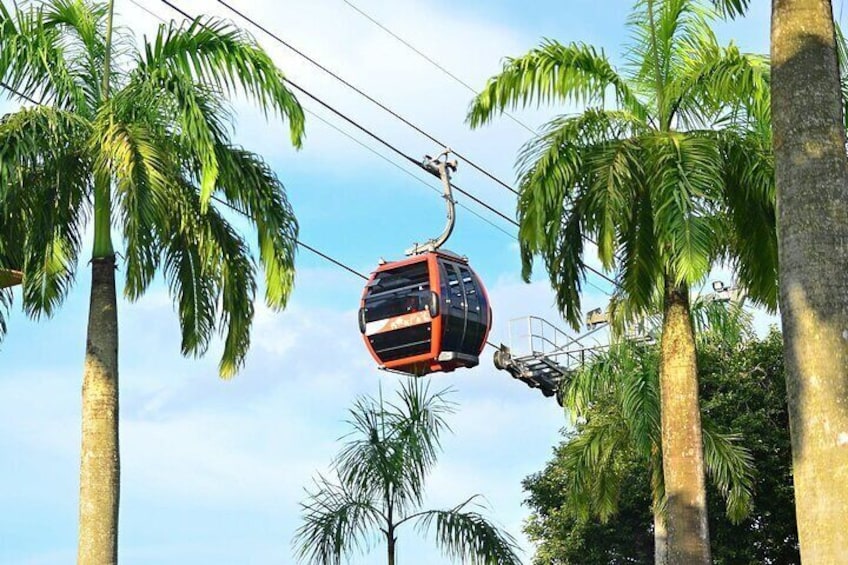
point(614, 403)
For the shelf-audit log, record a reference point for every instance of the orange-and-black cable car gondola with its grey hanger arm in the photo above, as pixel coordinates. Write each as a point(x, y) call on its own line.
point(428, 312)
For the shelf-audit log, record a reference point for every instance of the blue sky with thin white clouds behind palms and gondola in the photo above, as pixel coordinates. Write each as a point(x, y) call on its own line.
point(213, 470)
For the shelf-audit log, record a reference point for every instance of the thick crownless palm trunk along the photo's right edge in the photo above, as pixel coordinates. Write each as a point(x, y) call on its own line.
point(812, 192)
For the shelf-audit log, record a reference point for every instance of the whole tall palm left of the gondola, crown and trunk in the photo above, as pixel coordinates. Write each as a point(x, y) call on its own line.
point(138, 142)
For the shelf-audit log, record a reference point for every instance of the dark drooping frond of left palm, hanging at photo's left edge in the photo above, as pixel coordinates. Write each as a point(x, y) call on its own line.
point(44, 191)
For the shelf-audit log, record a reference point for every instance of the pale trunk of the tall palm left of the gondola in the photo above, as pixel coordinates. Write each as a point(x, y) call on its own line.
point(100, 467)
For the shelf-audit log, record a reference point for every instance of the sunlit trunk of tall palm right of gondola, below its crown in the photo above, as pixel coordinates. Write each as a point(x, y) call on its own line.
point(682, 445)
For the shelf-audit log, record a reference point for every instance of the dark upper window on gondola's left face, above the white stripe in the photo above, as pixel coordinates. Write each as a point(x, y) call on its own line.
point(397, 292)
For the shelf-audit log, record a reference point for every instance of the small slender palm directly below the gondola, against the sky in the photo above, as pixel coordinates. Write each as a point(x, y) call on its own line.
point(379, 487)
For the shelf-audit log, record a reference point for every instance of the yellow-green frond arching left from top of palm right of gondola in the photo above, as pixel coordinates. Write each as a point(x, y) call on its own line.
point(553, 72)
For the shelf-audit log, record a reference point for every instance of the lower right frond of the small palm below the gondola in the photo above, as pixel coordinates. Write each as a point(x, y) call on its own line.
point(468, 536)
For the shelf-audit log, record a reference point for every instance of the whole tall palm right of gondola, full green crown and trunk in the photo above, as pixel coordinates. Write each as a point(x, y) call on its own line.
point(668, 169)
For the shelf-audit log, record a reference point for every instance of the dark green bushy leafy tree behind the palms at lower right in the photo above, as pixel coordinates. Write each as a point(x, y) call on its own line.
point(743, 392)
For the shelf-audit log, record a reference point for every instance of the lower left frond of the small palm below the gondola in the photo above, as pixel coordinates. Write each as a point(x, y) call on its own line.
point(335, 523)
